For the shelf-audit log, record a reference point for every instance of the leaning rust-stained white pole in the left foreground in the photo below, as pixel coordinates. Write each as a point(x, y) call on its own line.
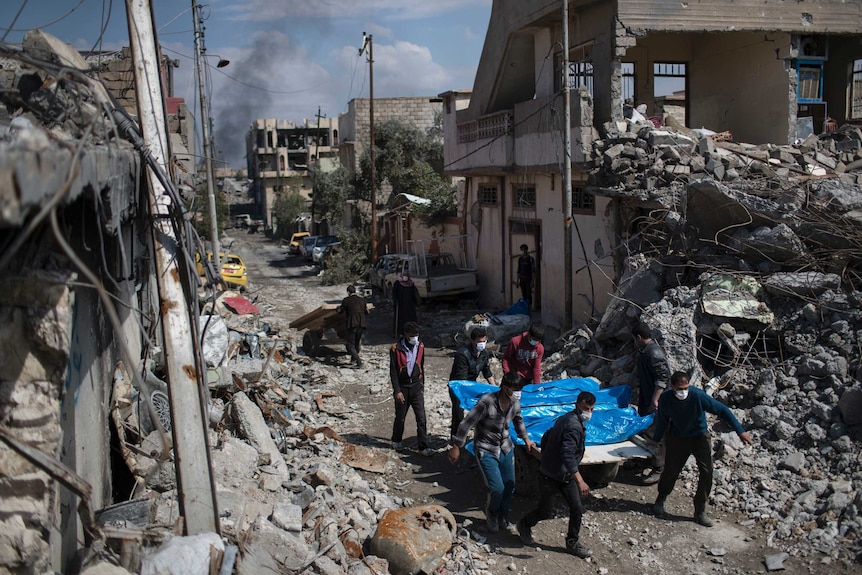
point(197, 498)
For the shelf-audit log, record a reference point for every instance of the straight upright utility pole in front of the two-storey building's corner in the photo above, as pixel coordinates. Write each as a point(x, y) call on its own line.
point(567, 172)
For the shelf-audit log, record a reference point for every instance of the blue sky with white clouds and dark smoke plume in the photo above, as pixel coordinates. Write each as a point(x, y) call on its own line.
point(287, 57)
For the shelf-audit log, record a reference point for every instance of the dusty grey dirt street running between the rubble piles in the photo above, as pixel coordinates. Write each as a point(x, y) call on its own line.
point(624, 536)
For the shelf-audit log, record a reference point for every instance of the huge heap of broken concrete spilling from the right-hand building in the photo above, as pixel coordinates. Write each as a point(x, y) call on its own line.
point(749, 280)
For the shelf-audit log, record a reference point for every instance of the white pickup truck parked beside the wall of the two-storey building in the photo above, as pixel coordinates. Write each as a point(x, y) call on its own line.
point(435, 275)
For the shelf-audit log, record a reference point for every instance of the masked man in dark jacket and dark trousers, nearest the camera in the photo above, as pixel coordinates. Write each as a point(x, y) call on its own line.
point(562, 451)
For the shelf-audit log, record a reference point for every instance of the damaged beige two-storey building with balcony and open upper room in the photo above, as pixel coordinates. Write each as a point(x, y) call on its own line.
point(757, 72)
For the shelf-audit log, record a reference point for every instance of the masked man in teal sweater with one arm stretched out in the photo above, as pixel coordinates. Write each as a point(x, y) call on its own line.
point(682, 414)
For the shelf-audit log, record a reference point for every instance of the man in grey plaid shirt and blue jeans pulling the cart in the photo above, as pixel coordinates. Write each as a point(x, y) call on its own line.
point(494, 449)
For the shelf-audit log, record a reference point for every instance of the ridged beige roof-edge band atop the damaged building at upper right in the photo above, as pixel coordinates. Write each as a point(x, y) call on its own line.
point(802, 16)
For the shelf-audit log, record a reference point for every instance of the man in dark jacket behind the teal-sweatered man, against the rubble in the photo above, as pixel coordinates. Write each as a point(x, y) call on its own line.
point(653, 375)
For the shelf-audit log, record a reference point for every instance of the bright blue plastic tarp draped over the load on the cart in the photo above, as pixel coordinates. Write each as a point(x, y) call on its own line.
point(542, 403)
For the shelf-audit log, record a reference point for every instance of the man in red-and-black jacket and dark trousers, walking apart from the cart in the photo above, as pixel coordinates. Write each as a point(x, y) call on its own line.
point(407, 373)
